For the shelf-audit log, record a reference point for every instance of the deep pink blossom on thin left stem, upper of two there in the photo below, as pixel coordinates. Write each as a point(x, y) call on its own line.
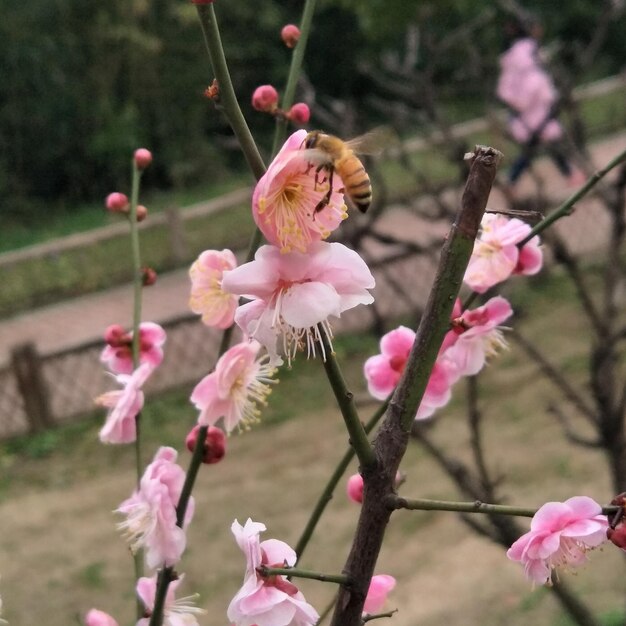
point(118, 353)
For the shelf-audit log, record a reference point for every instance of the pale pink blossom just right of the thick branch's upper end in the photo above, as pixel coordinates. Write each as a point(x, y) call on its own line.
point(496, 254)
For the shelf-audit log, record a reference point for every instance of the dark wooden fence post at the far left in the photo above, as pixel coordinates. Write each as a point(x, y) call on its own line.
point(32, 386)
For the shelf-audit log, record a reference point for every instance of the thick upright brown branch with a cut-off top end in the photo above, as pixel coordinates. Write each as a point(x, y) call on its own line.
point(391, 442)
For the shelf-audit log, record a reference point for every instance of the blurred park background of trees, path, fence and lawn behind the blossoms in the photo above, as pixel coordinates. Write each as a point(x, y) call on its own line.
point(86, 83)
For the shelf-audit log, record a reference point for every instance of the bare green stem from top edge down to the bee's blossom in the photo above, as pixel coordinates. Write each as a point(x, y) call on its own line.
point(228, 99)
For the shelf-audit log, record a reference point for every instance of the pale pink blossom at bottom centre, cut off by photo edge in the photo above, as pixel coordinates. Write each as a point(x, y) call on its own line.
point(272, 600)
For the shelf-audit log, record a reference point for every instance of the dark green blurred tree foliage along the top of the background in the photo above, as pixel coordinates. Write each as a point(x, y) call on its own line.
point(97, 79)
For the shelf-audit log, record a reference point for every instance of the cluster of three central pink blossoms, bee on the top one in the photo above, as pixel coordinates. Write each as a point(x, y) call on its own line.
point(297, 281)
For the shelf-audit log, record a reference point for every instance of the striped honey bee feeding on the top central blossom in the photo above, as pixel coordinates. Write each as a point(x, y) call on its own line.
point(335, 155)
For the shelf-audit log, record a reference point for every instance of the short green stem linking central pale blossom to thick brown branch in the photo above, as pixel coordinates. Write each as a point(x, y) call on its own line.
point(345, 400)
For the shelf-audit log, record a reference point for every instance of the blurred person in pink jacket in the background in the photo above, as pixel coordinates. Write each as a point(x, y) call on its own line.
point(528, 91)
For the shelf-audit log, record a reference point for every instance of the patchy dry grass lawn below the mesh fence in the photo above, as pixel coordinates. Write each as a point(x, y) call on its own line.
point(276, 471)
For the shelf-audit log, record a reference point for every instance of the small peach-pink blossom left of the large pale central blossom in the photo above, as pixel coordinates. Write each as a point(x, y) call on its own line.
point(207, 296)
